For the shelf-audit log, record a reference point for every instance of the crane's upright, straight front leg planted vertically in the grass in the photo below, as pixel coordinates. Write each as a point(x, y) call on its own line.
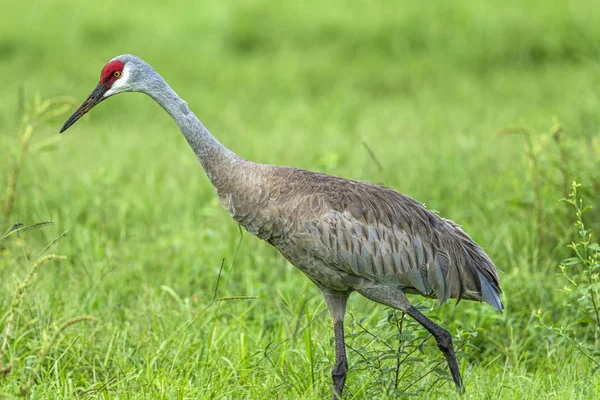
point(336, 304)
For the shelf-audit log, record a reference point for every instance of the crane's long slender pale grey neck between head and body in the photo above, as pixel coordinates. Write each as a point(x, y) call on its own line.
point(216, 159)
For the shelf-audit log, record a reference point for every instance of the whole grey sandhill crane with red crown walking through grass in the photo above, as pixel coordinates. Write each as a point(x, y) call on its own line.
point(345, 235)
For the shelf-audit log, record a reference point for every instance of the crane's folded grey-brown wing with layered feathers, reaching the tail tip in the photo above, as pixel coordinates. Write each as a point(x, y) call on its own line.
point(374, 232)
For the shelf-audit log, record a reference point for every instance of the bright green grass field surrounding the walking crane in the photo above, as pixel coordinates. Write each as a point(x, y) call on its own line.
point(484, 112)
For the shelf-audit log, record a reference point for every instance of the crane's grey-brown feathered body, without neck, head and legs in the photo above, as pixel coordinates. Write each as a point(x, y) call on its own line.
point(347, 234)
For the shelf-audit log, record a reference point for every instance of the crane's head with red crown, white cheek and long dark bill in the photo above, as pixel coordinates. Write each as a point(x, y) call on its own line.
point(124, 73)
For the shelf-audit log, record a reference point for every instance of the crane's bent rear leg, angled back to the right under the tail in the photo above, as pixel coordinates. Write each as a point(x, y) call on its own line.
point(395, 298)
